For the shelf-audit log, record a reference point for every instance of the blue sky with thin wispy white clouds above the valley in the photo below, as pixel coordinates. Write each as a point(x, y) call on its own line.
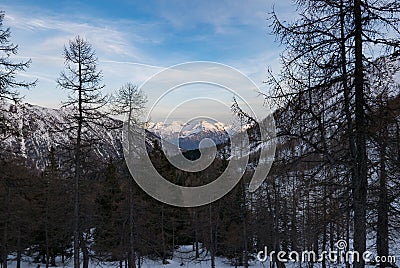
point(135, 40)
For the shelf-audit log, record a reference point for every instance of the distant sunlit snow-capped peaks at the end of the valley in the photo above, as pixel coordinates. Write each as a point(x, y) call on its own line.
point(188, 136)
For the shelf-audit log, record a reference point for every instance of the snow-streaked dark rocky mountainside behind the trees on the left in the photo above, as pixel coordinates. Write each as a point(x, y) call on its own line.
point(36, 129)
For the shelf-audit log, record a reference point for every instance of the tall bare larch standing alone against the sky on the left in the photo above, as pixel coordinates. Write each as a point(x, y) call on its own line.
point(84, 82)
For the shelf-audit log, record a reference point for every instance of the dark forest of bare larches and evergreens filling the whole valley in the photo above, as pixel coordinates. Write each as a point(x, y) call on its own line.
point(335, 175)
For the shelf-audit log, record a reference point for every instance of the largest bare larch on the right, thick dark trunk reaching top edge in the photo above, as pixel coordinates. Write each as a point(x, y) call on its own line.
point(340, 39)
